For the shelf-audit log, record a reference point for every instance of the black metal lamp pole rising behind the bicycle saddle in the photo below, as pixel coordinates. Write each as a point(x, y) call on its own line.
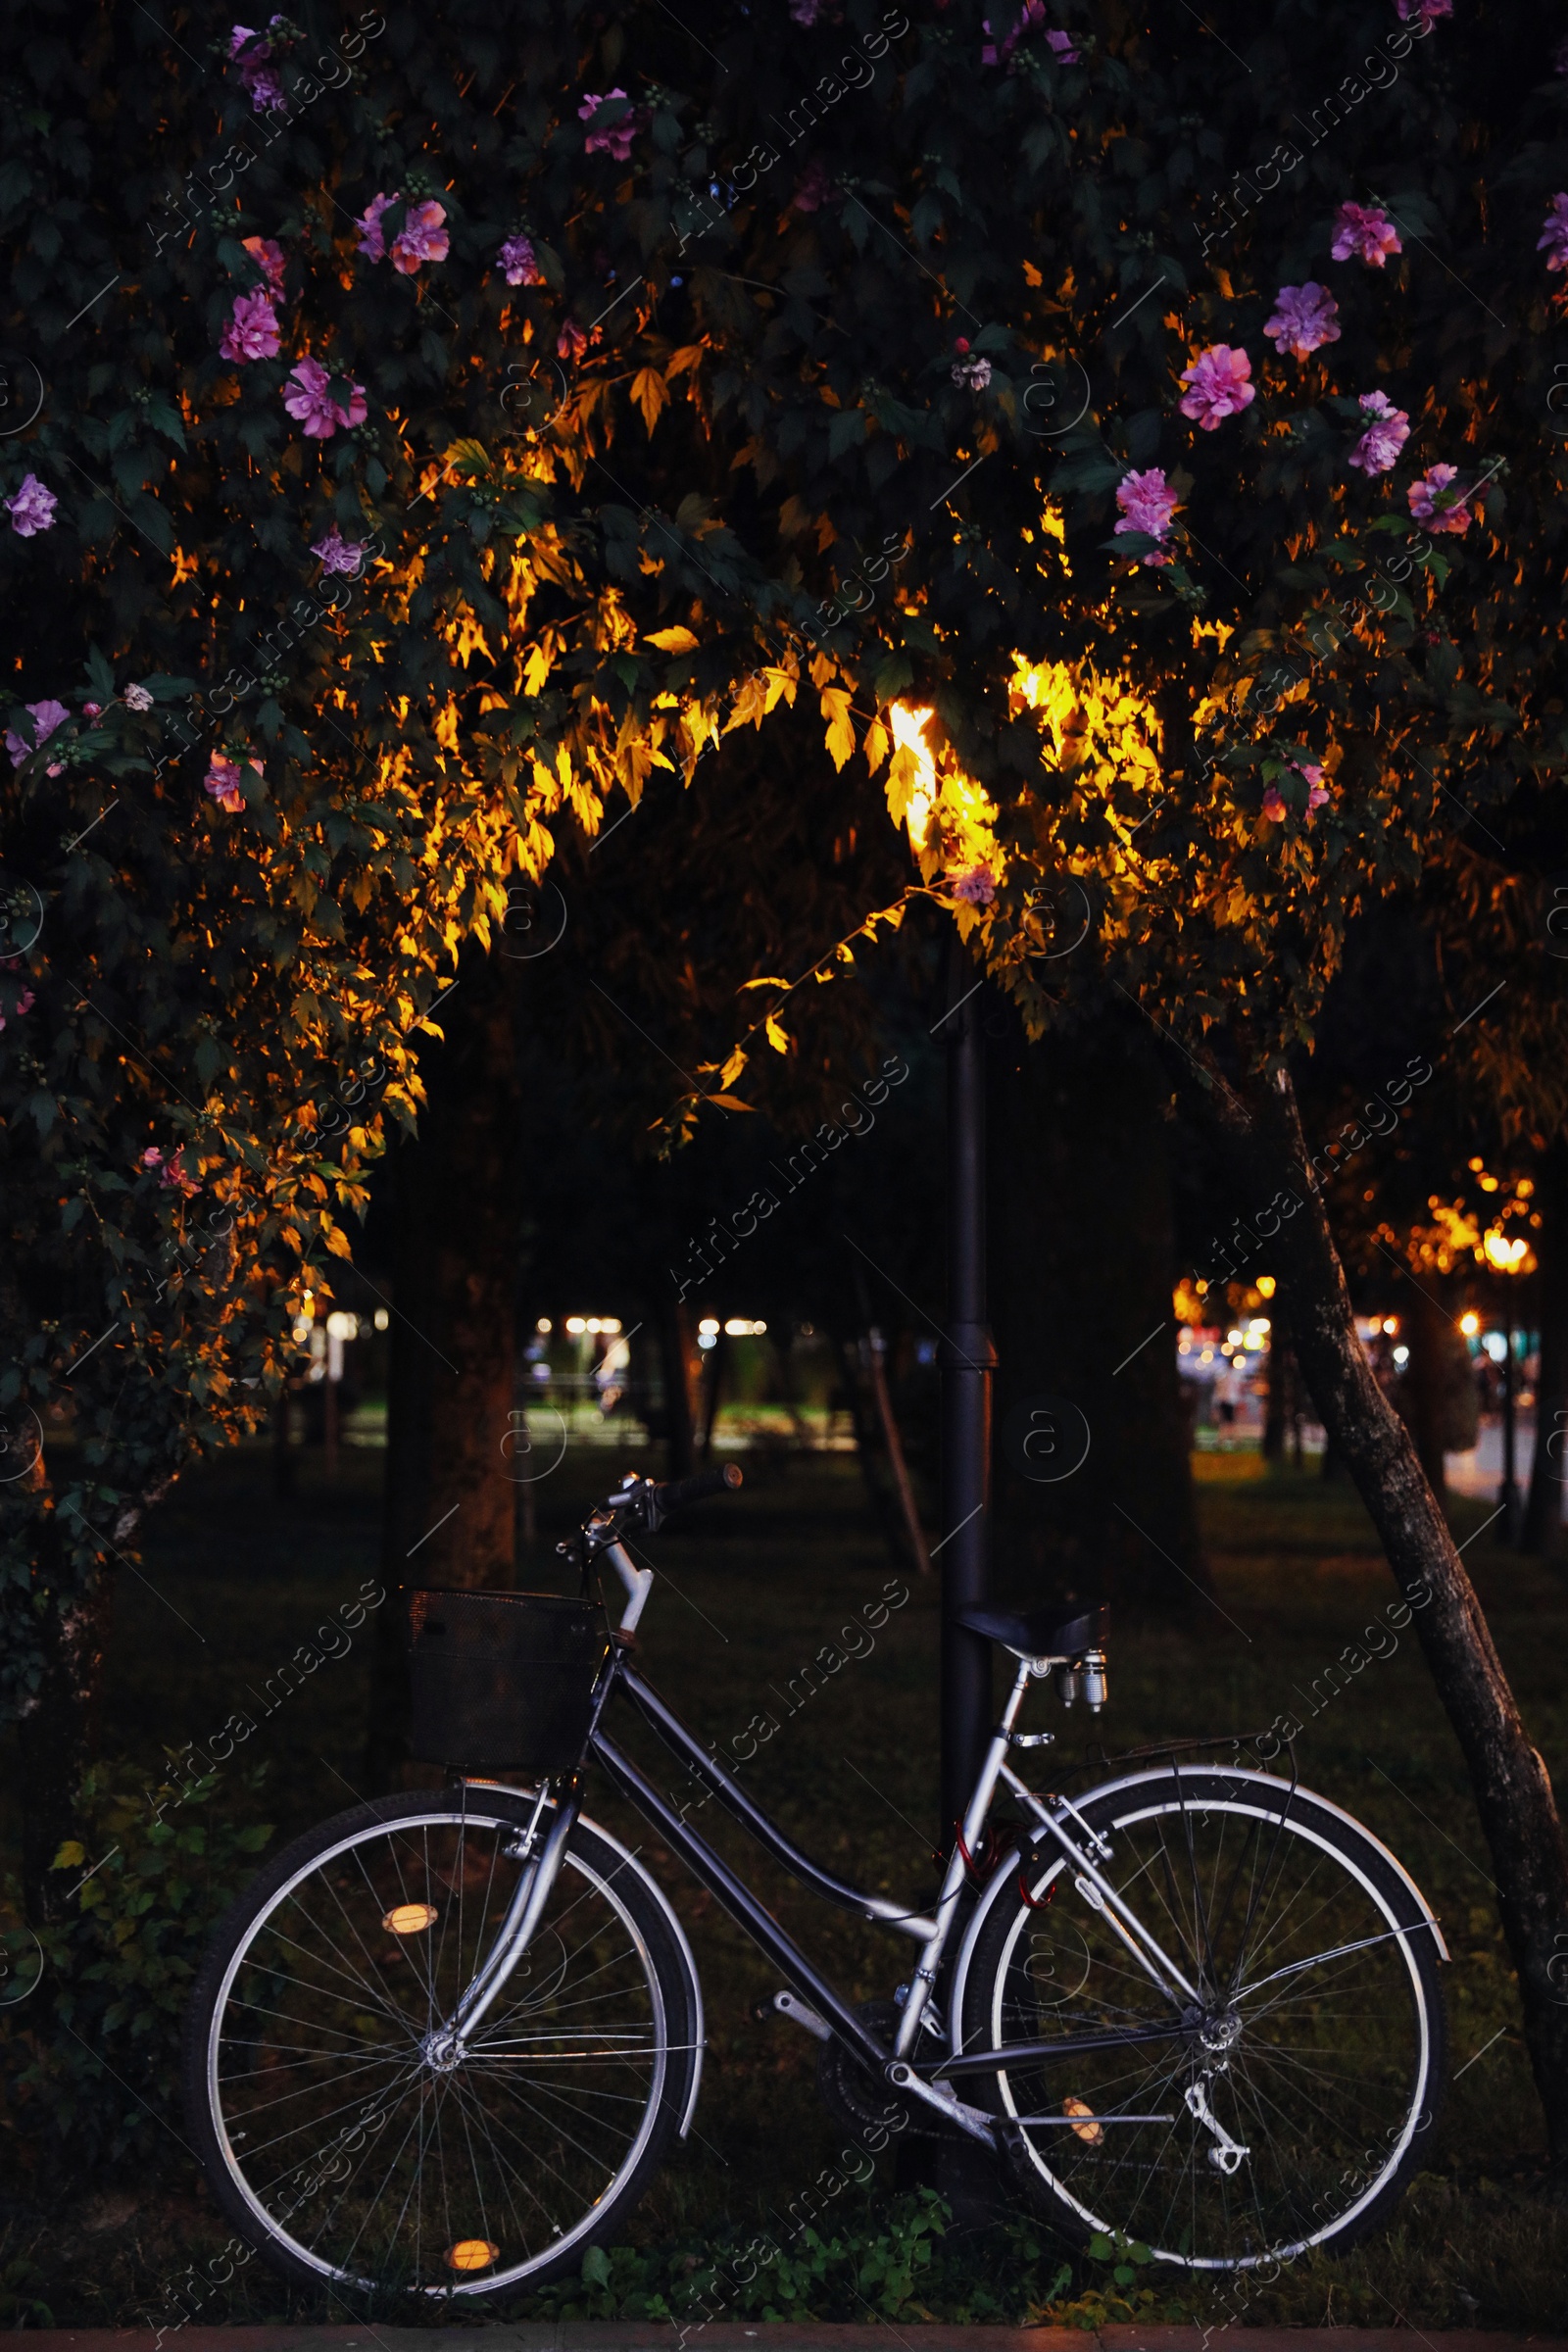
point(967, 1401)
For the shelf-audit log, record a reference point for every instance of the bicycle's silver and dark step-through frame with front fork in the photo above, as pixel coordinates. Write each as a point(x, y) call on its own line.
point(932, 1932)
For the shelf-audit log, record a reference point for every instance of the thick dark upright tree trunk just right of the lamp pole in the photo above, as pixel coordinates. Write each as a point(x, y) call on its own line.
point(1083, 1248)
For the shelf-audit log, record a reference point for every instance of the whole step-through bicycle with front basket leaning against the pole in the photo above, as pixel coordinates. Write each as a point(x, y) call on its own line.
point(443, 2040)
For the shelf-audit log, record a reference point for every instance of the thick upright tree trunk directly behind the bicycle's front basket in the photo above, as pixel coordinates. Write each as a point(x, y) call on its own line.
point(455, 1224)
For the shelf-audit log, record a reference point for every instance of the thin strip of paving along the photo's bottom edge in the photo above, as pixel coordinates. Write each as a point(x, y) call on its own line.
point(636, 2337)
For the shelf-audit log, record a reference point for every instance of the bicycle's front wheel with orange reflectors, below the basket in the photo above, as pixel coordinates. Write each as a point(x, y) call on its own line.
point(342, 2139)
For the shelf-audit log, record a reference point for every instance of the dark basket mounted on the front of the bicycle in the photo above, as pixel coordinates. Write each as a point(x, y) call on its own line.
point(502, 1681)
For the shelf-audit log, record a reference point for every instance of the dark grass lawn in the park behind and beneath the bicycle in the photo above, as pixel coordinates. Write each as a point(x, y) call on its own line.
point(236, 1582)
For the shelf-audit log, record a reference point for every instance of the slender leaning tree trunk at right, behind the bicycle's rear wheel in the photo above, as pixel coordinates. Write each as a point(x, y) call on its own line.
point(1510, 1782)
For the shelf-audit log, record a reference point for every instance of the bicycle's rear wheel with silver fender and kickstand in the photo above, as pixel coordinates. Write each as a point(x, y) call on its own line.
point(1278, 2090)
